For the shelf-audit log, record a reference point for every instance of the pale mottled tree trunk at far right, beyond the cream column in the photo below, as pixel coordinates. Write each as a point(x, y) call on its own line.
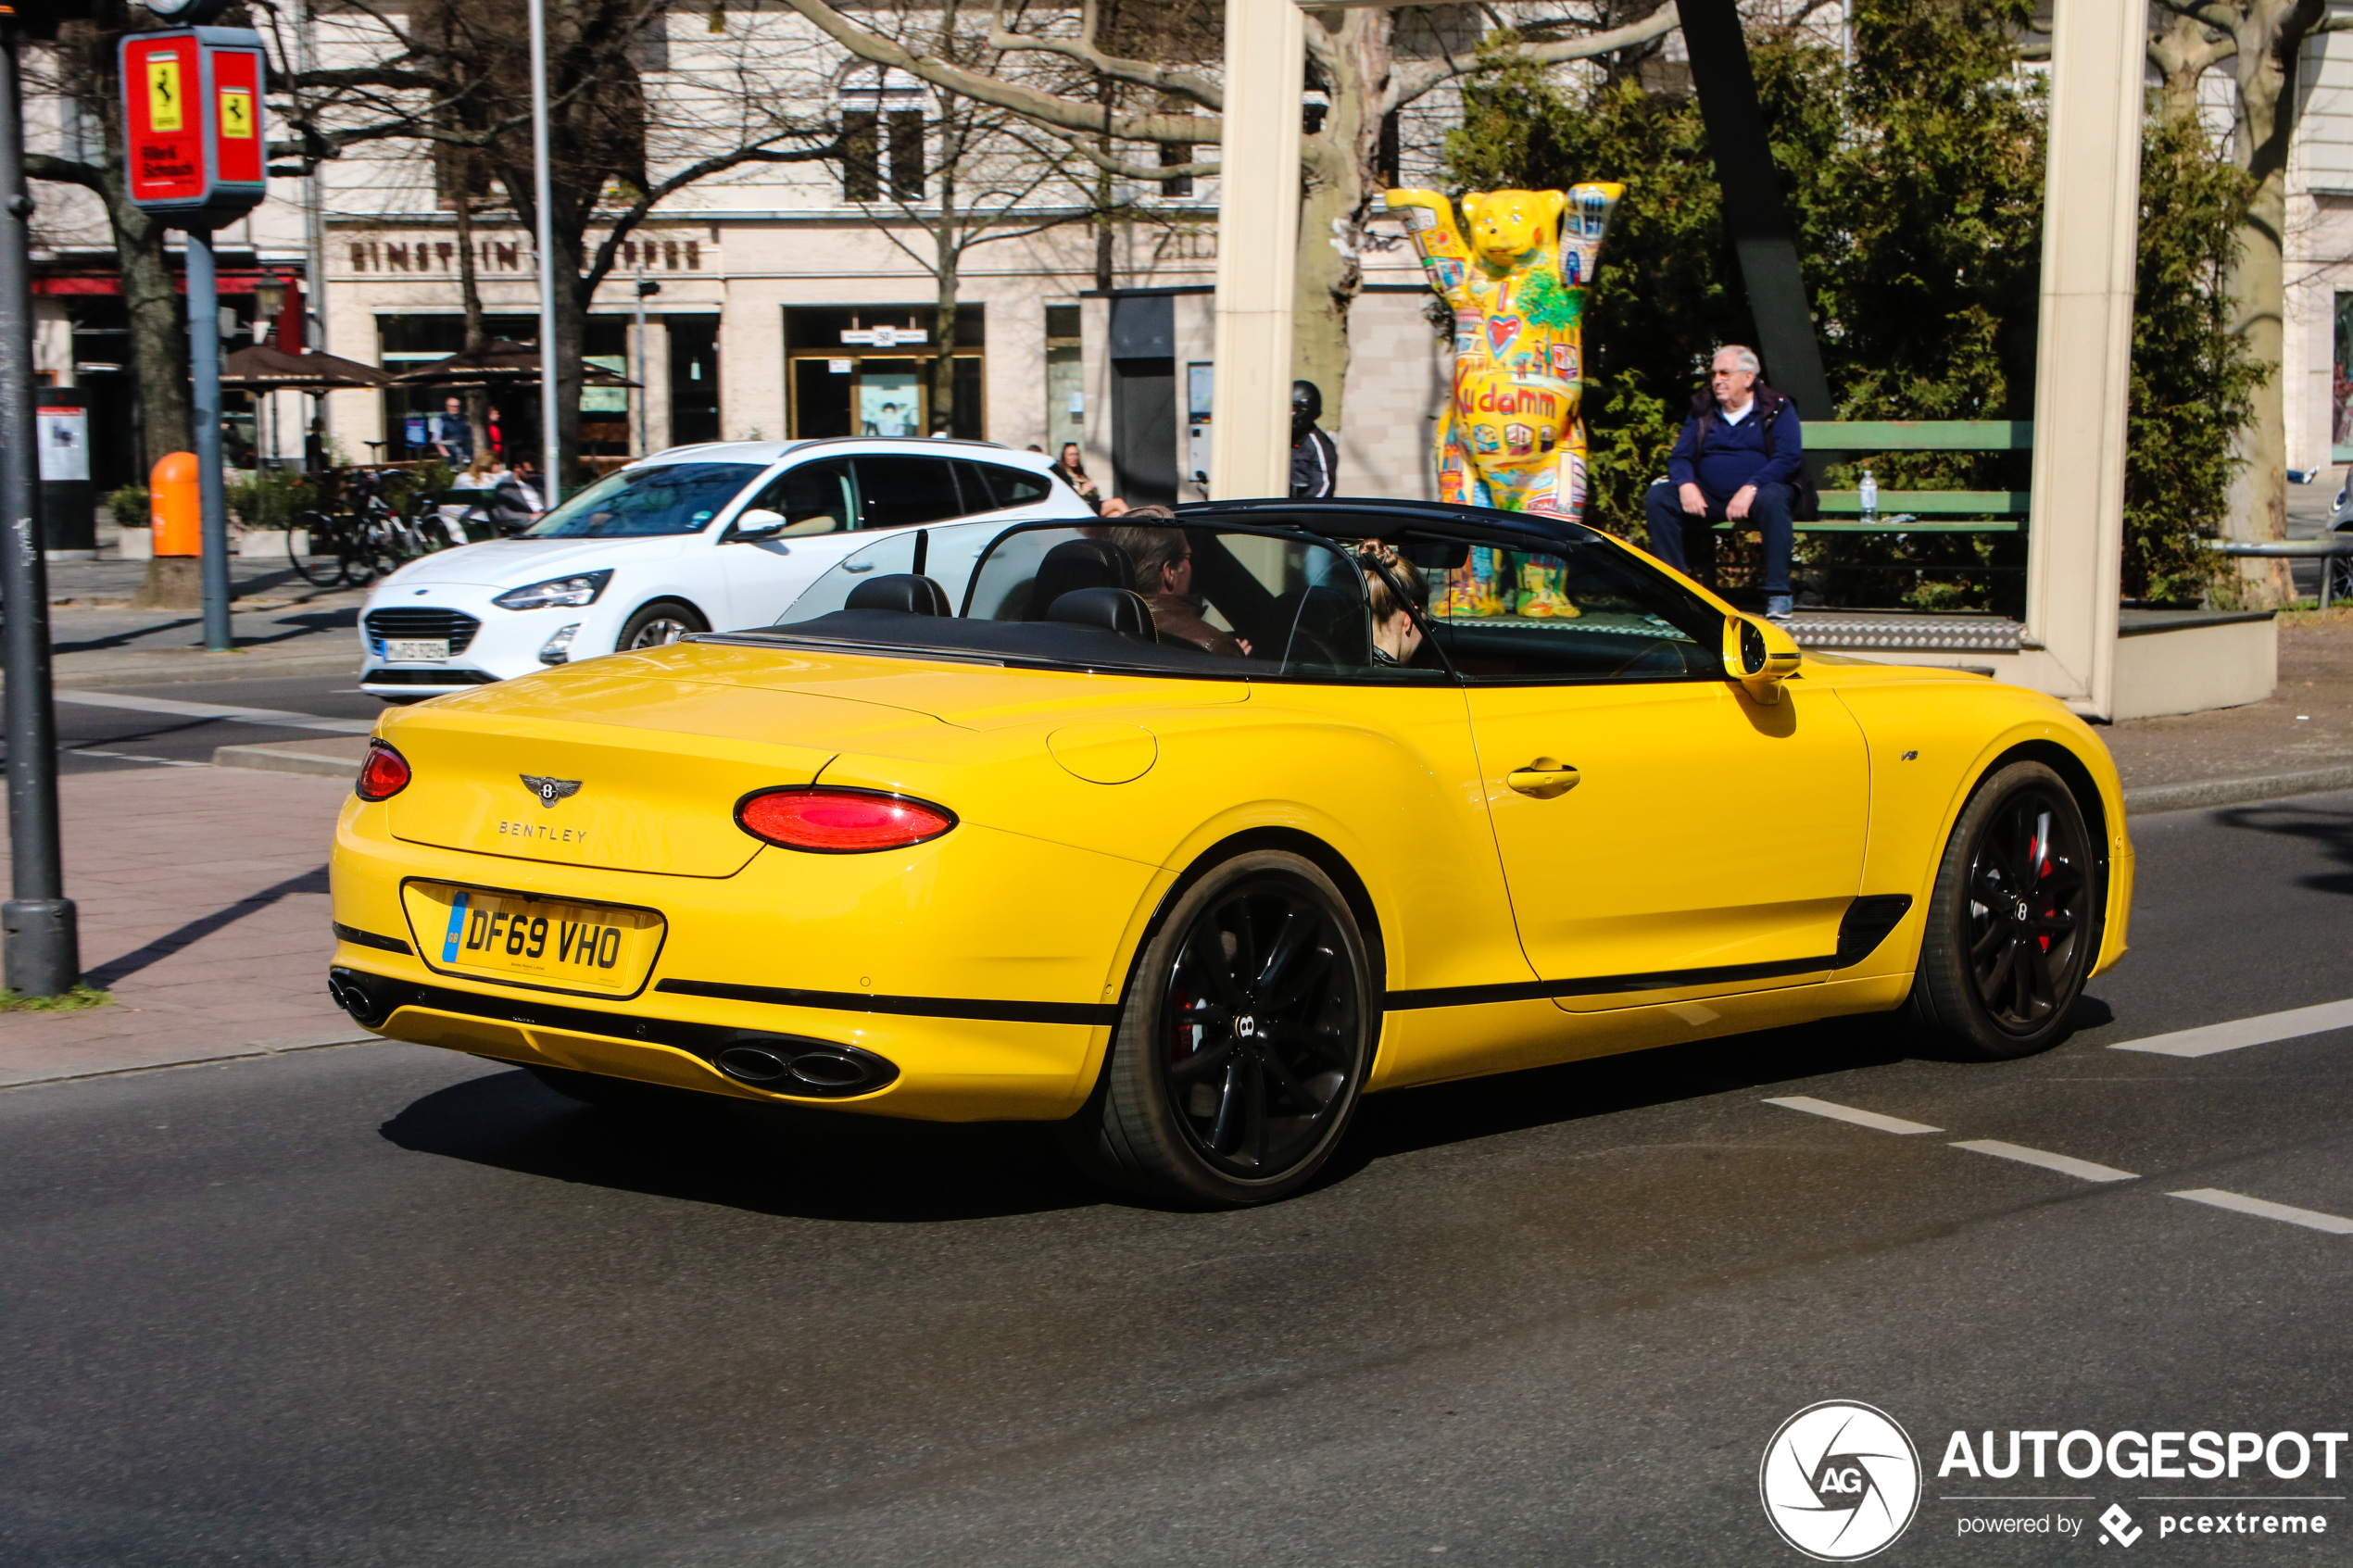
point(2269, 36)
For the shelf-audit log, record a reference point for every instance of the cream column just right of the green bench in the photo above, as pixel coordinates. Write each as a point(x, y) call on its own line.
point(2084, 354)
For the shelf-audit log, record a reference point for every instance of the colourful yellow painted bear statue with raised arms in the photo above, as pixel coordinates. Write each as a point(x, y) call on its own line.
point(1512, 438)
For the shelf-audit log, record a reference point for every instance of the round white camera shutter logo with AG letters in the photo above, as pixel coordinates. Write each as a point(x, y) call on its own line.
point(1841, 1482)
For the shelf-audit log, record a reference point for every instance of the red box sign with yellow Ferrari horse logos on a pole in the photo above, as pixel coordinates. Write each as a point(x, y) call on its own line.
point(192, 119)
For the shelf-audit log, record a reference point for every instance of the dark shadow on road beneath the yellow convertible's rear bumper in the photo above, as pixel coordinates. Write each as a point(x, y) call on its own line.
point(766, 1160)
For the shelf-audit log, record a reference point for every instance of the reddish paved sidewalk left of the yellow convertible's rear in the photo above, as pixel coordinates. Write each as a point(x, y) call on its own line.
point(204, 904)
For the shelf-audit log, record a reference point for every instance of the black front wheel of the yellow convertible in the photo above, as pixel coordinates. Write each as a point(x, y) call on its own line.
point(2015, 918)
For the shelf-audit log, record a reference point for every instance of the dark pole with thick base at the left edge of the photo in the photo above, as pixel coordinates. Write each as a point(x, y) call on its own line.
point(41, 944)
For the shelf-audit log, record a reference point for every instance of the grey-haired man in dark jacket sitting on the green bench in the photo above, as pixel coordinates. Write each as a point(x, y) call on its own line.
point(1738, 460)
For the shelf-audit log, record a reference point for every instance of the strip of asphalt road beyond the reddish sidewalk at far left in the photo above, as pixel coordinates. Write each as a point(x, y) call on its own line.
point(93, 739)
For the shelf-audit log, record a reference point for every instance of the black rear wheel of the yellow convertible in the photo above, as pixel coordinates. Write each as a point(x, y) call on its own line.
point(1244, 1045)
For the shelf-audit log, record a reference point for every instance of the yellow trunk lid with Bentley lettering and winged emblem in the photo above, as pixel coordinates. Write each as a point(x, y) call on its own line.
point(615, 772)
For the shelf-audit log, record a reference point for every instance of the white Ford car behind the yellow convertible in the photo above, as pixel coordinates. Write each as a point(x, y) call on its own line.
point(716, 537)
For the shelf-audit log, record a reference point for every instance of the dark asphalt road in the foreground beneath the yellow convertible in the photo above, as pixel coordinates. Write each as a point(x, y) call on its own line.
point(387, 1306)
